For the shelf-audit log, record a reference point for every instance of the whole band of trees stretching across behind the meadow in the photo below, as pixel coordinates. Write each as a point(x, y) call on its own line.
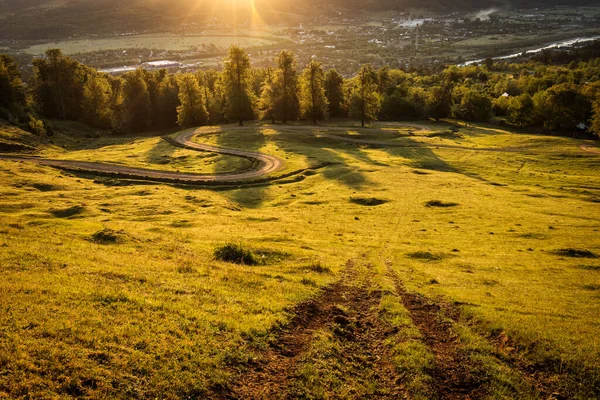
point(530, 94)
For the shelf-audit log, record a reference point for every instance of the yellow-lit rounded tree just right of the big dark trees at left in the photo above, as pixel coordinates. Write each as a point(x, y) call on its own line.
point(96, 101)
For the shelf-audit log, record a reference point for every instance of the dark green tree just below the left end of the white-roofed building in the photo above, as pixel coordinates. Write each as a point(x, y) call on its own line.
point(136, 101)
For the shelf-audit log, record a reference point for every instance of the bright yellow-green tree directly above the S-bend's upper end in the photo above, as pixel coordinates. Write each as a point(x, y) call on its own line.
point(192, 111)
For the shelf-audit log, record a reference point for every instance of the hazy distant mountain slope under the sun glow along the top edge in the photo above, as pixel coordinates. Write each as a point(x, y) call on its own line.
point(50, 19)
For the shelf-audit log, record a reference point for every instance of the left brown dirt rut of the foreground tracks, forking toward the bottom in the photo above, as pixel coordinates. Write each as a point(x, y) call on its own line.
point(349, 311)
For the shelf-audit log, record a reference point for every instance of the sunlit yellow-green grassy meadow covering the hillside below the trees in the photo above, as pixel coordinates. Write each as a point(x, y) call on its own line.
point(443, 261)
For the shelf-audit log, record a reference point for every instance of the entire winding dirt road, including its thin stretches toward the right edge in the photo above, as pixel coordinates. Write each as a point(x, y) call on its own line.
point(265, 166)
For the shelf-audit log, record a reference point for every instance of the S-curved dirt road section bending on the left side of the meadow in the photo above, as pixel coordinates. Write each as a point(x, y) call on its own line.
point(267, 164)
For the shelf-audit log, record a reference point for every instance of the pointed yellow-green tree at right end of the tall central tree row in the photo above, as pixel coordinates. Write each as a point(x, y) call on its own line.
point(364, 100)
